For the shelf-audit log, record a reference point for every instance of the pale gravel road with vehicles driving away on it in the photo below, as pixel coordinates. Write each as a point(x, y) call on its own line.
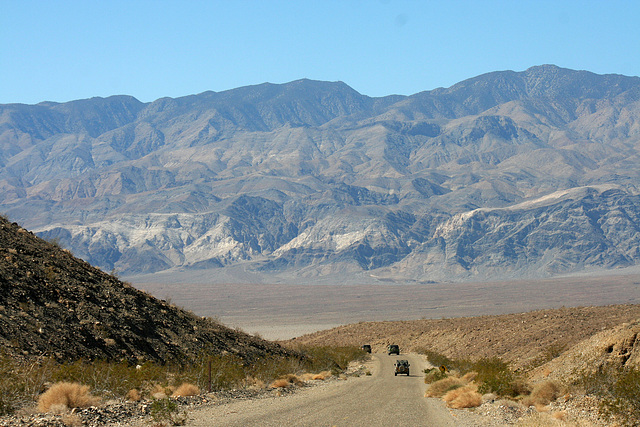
point(381, 399)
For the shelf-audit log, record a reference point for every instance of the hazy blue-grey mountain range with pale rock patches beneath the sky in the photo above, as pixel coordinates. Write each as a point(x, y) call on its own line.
point(508, 174)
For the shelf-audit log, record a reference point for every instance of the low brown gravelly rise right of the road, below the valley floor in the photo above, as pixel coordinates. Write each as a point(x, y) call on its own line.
point(519, 339)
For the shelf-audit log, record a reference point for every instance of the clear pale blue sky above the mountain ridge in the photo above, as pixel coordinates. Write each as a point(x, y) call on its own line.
point(60, 50)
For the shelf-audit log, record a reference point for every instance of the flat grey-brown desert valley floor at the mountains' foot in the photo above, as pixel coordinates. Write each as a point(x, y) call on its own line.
point(284, 311)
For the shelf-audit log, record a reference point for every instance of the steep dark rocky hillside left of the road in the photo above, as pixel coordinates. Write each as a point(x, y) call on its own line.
point(54, 304)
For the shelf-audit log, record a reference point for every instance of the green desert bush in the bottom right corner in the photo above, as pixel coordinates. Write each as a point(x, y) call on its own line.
point(619, 393)
